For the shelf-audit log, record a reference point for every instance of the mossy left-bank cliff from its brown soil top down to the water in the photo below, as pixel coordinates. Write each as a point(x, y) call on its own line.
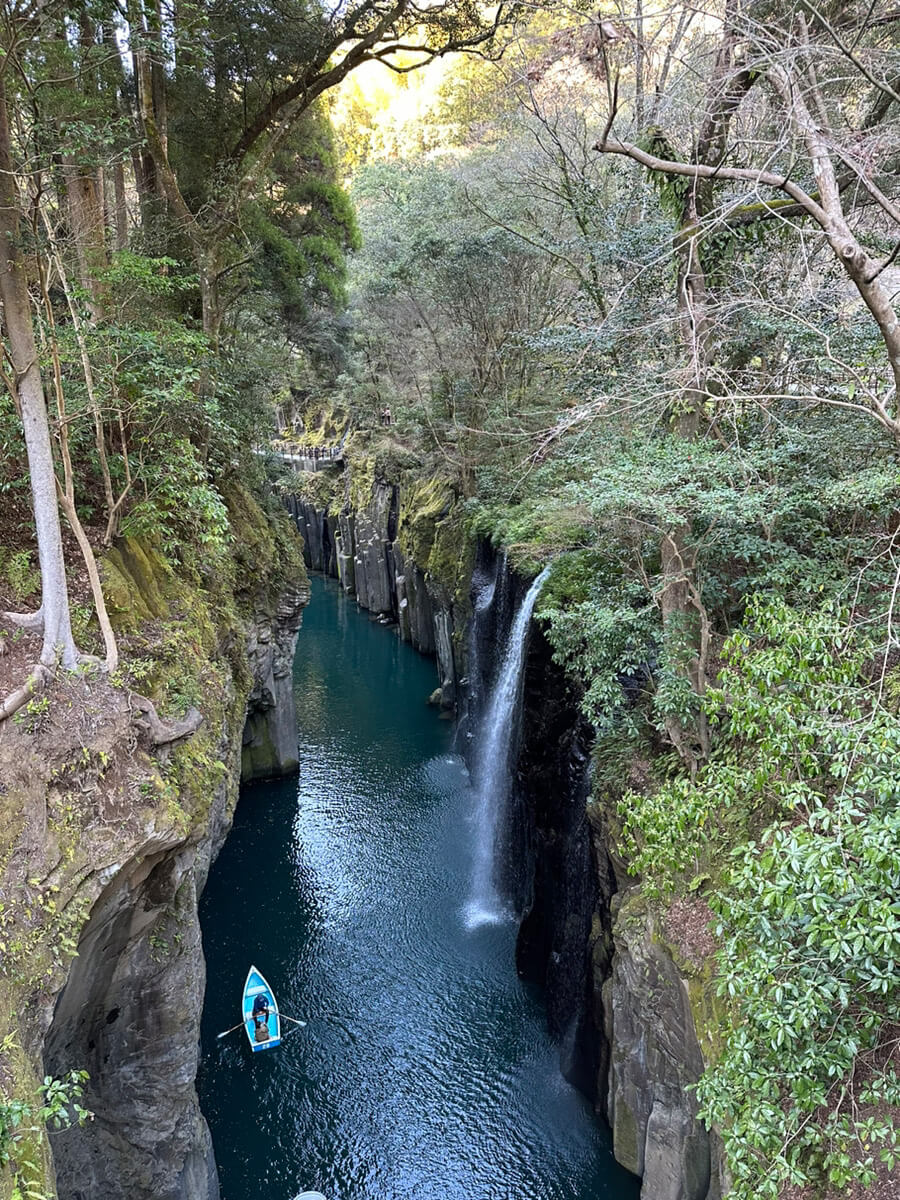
point(112, 850)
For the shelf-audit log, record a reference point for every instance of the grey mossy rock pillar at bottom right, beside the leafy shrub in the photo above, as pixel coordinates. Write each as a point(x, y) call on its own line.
point(656, 988)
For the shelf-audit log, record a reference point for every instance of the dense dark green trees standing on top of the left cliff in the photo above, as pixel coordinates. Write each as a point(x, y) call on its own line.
point(159, 165)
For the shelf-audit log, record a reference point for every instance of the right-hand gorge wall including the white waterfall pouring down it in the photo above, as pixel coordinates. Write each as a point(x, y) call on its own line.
point(625, 998)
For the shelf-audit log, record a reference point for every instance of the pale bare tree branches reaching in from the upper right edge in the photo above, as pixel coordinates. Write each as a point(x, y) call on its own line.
point(825, 141)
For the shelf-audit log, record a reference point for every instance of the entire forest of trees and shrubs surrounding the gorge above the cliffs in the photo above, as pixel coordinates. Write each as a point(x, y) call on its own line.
point(628, 284)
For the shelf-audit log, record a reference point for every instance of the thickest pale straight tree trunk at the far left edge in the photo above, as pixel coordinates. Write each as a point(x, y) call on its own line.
point(58, 641)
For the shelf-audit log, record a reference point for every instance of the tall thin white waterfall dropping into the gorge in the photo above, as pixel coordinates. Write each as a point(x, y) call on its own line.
point(493, 767)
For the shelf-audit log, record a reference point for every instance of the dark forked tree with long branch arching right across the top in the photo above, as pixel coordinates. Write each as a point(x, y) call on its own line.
point(266, 70)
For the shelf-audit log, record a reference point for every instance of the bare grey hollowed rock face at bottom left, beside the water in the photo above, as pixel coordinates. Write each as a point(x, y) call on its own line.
point(130, 1016)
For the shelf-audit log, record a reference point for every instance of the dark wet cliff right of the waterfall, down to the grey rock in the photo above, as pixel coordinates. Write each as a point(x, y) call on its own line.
point(617, 1000)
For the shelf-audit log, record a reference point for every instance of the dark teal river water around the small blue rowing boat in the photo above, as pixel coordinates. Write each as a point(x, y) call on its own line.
point(425, 1072)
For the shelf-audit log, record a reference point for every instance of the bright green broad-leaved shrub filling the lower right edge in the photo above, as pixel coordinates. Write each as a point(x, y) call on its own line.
point(805, 781)
